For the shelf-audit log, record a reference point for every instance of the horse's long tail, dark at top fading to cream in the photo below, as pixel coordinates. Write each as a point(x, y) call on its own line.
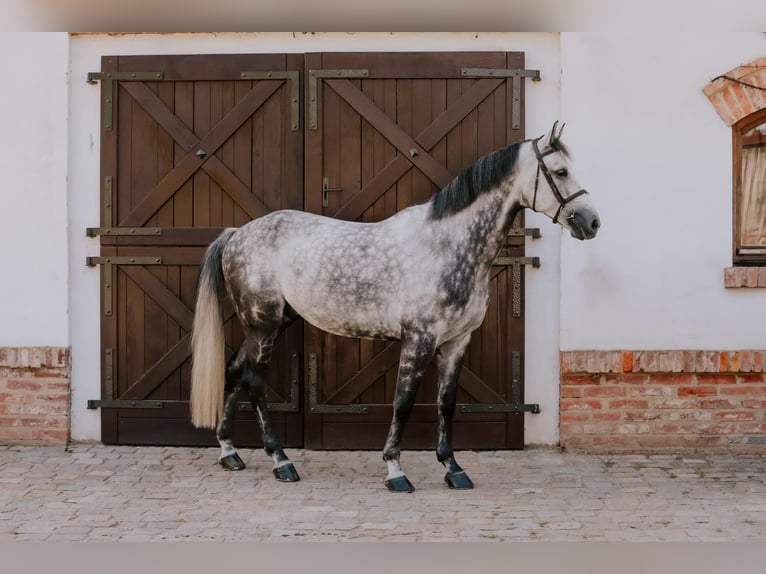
point(208, 346)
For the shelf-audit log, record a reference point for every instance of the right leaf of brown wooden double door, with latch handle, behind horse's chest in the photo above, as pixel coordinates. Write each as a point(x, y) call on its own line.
point(384, 131)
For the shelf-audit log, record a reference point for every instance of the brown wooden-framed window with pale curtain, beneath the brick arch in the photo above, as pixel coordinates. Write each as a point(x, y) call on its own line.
point(749, 146)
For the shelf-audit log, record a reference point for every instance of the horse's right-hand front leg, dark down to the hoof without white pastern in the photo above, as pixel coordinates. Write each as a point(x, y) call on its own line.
point(449, 358)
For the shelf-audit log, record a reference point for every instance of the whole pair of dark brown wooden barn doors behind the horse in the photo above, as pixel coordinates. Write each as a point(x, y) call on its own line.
point(193, 144)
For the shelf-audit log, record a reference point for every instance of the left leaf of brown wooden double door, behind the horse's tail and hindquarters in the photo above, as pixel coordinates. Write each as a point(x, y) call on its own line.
point(190, 145)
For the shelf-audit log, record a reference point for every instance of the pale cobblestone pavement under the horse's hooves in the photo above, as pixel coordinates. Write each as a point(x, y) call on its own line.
point(96, 492)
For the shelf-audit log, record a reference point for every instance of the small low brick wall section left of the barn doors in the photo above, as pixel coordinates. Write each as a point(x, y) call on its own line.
point(34, 395)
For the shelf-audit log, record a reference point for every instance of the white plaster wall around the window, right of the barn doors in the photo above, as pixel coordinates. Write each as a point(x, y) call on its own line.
point(657, 160)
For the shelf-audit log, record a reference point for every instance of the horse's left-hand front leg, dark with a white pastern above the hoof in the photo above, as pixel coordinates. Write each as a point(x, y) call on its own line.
point(417, 352)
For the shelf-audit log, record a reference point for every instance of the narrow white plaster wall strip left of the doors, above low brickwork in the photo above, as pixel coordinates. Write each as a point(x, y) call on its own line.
point(33, 197)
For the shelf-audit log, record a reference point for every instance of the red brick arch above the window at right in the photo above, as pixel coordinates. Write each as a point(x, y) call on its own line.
point(739, 92)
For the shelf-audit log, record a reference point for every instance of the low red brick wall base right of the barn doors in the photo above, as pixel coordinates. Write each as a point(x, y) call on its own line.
point(654, 400)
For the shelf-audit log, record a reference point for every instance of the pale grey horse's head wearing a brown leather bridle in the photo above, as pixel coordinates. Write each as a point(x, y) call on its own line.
point(556, 192)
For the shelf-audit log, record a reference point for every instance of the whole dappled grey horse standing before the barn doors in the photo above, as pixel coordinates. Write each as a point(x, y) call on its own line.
point(421, 276)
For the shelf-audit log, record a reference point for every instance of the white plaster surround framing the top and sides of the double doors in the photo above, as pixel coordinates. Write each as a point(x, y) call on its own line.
point(542, 108)
